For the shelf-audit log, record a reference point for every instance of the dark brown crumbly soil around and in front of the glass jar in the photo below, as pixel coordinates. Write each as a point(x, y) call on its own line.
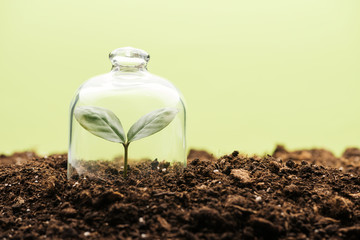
point(291, 195)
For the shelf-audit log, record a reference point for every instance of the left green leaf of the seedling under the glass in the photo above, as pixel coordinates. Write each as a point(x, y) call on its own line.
point(101, 122)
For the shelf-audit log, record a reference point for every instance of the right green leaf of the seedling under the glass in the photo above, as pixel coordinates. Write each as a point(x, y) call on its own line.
point(151, 123)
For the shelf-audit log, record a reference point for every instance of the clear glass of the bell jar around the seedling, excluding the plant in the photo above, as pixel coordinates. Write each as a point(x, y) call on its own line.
point(130, 92)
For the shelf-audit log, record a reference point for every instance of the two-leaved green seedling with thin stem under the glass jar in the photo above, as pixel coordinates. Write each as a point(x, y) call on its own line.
point(105, 124)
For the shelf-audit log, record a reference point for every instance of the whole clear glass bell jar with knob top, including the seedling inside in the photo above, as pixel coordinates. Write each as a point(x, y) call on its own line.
point(126, 117)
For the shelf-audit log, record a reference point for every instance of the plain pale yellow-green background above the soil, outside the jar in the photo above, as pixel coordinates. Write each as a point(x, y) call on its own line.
point(254, 73)
